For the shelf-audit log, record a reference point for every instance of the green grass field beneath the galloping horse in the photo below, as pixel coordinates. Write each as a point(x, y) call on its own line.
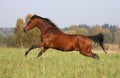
point(57, 64)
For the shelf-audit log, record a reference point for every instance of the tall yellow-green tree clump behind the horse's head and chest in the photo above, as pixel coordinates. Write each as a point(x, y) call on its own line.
point(22, 39)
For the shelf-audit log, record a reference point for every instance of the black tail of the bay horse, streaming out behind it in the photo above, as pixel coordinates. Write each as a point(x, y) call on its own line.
point(98, 39)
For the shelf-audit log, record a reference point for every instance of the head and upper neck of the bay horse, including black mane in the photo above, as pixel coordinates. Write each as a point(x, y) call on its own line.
point(40, 22)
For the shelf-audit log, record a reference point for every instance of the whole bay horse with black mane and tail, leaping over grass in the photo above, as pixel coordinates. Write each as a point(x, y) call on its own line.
point(53, 37)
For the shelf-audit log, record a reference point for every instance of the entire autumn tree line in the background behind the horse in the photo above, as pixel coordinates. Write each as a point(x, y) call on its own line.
point(21, 39)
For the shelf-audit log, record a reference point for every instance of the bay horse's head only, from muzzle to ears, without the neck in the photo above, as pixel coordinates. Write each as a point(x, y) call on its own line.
point(32, 23)
